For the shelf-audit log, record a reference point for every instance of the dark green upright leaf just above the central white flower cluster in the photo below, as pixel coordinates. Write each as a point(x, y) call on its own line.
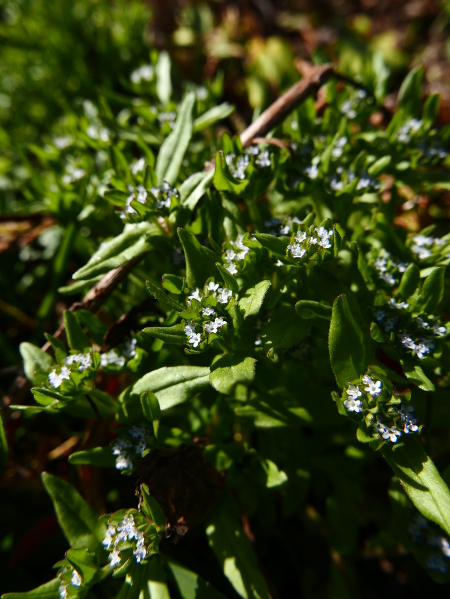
point(200, 261)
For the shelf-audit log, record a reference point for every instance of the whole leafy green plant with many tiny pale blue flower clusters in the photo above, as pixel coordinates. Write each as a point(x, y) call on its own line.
point(275, 348)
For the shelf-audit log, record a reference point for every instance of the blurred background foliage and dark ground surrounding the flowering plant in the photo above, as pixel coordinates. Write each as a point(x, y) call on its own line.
point(55, 56)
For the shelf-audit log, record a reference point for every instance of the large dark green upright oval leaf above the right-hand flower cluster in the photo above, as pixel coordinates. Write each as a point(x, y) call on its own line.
point(348, 353)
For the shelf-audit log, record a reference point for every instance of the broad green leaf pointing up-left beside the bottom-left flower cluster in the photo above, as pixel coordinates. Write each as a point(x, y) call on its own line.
point(77, 519)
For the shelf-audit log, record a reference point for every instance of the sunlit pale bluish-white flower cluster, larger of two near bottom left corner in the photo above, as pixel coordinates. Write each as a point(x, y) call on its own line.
point(126, 536)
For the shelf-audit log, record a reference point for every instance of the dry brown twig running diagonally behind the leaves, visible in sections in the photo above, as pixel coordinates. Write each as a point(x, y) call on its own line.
point(313, 78)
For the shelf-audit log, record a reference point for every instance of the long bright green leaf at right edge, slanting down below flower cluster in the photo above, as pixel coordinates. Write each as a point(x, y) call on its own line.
point(421, 480)
